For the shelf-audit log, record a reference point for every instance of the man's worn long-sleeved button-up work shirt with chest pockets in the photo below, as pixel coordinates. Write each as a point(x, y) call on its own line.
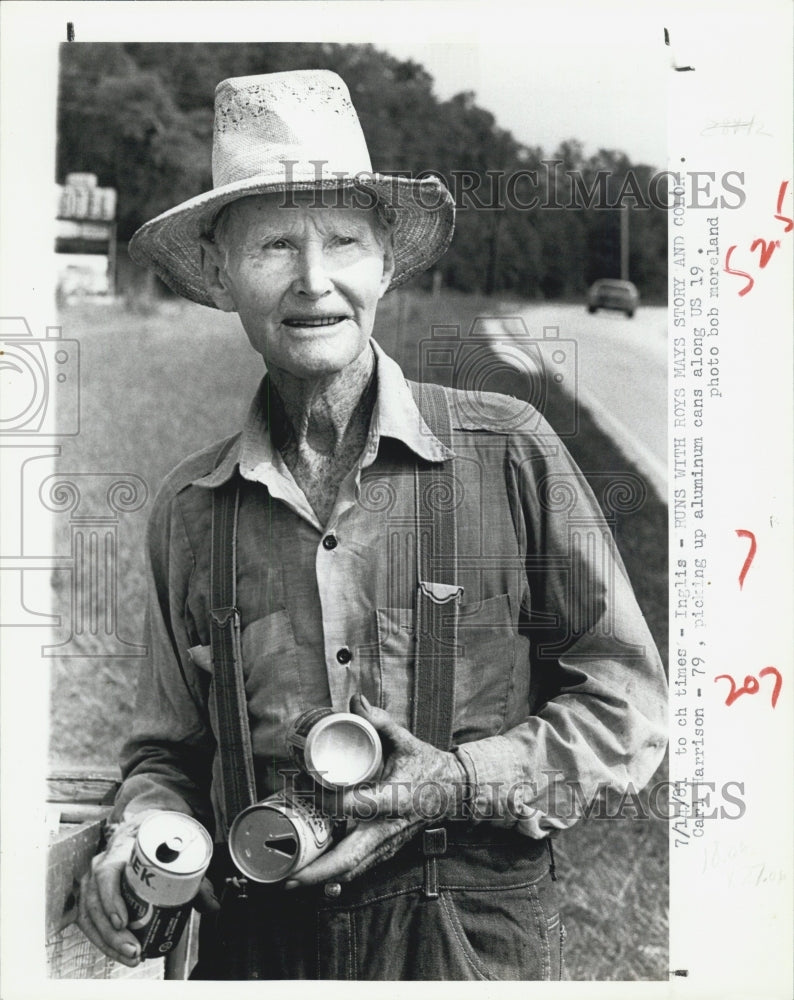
point(556, 674)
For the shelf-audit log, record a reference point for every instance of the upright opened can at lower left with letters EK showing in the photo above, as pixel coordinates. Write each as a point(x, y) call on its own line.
point(168, 861)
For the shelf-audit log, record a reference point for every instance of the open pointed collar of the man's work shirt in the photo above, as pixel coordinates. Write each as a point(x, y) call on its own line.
point(396, 415)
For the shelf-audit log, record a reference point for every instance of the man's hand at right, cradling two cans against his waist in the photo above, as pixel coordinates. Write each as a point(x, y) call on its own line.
point(419, 785)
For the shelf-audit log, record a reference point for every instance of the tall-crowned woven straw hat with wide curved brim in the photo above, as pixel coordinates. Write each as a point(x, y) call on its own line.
point(284, 132)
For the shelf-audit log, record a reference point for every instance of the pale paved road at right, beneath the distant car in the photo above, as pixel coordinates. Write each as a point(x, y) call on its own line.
point(621, 373)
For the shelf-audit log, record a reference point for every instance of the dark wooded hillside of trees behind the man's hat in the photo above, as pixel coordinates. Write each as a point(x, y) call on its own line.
point(140, 117)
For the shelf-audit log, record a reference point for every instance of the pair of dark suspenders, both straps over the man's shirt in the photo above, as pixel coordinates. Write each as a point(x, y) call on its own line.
point(436, 613)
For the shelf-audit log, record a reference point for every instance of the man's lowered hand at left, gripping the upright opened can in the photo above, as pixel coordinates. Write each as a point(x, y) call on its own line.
point(102, 914)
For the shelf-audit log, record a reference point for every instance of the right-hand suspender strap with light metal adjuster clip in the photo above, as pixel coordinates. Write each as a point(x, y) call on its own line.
point(438, 593)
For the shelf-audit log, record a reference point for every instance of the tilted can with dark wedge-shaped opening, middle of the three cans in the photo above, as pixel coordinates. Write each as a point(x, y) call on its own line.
point(280, 835)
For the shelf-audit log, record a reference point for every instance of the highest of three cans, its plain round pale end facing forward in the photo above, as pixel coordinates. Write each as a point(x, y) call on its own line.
point(337, 749)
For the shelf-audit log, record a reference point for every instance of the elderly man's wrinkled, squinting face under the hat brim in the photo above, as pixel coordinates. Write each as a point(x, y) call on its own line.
point(305, 281)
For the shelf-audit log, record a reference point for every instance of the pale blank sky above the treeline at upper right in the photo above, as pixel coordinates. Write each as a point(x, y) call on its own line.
point(603, 85)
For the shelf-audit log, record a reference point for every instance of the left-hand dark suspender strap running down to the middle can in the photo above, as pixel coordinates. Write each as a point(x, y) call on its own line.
point(234, 739)
